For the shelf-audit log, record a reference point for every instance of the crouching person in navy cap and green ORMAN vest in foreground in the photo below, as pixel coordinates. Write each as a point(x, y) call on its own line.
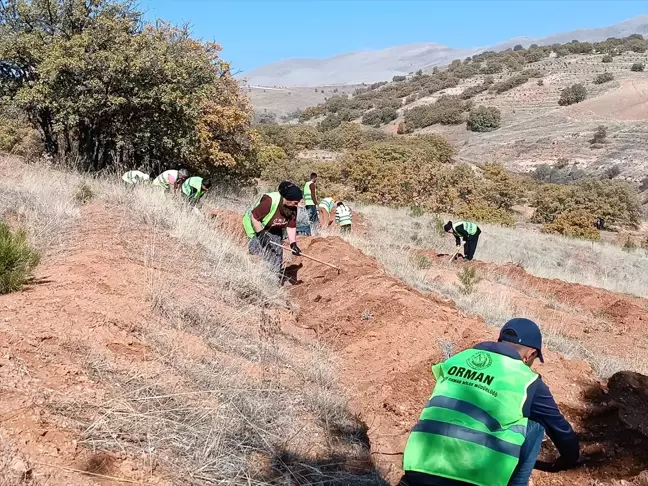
point(487, 417)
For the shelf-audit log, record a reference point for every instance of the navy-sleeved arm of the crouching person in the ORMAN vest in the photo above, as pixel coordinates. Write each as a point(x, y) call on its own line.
point(542, 409)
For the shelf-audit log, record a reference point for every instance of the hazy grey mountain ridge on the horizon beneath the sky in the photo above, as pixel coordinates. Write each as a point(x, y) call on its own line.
point(383, 64)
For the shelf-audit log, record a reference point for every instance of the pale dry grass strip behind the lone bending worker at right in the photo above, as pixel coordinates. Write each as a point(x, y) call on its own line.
point(597, 264)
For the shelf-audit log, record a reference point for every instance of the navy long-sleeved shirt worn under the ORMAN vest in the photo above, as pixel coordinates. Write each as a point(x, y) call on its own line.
point(540, 407)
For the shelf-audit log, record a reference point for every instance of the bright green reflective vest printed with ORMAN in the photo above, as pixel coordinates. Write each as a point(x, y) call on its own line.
point(472, 428)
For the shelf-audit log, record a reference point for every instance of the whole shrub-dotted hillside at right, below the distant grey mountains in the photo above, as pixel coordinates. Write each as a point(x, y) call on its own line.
point(605, 131)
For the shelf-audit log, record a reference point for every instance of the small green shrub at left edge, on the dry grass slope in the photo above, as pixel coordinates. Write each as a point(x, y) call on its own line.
point(17, 259)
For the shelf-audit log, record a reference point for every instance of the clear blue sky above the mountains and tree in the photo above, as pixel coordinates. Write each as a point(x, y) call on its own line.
point(256, 32)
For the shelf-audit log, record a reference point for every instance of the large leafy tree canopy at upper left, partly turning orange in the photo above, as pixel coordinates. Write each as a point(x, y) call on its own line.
point(105, 89)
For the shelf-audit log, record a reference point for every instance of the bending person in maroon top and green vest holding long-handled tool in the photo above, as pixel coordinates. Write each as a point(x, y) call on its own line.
point(265, 223)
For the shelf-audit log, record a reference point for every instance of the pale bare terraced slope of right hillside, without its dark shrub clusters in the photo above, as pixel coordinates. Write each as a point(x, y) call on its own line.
point(536, 130)
